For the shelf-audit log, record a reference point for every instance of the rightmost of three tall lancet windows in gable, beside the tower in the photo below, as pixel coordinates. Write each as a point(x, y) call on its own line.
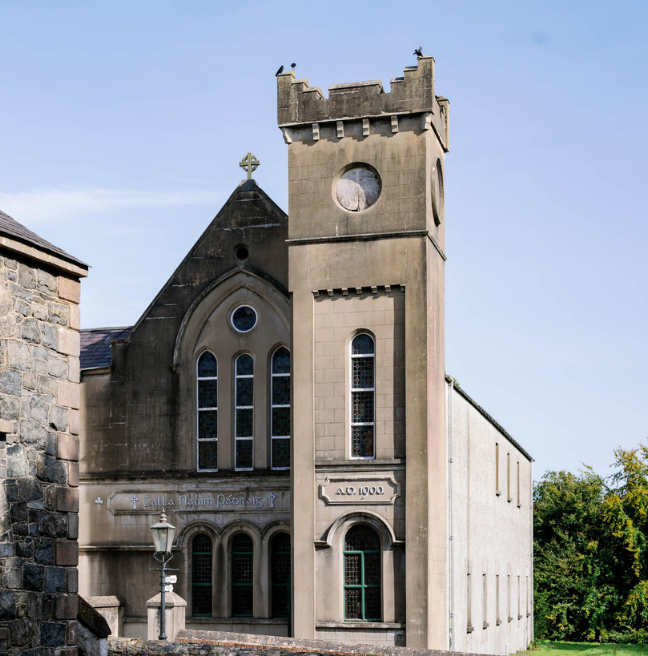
point(280, 422)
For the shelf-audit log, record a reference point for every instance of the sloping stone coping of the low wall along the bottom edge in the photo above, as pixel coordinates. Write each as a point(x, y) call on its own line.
point(275, 643)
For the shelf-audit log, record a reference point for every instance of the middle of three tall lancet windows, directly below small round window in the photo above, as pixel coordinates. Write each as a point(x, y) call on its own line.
point(244, 413)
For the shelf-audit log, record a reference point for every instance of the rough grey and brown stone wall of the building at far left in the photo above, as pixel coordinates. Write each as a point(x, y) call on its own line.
point(39, 420)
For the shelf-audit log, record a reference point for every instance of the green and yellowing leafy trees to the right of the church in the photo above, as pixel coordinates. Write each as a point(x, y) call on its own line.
point(591, 553)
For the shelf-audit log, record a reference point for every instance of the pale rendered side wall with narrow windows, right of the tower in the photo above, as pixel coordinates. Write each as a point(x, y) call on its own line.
point(490, 511)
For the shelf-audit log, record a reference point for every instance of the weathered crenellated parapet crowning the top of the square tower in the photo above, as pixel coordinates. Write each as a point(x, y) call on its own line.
point(299, 104)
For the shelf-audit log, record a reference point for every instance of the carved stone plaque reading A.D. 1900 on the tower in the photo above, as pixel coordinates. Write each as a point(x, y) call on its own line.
point(362, 490)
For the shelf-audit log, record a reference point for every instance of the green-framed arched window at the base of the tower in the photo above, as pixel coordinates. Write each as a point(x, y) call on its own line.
point(362, 575)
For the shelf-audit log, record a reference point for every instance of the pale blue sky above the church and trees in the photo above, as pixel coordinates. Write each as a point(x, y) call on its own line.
point(122, 125)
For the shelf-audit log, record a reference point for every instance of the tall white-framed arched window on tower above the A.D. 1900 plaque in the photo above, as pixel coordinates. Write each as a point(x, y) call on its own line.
point(363, 397)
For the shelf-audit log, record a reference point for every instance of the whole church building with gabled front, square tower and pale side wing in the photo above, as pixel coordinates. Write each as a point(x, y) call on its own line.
point(284, 400)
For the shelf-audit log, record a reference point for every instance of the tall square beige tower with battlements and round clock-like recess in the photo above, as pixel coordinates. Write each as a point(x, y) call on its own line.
point(366, 275)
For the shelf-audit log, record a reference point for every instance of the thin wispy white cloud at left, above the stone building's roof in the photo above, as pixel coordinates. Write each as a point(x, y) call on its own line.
point(39, 207)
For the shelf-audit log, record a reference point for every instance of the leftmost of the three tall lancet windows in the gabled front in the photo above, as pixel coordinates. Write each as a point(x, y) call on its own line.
point(207, 421)
